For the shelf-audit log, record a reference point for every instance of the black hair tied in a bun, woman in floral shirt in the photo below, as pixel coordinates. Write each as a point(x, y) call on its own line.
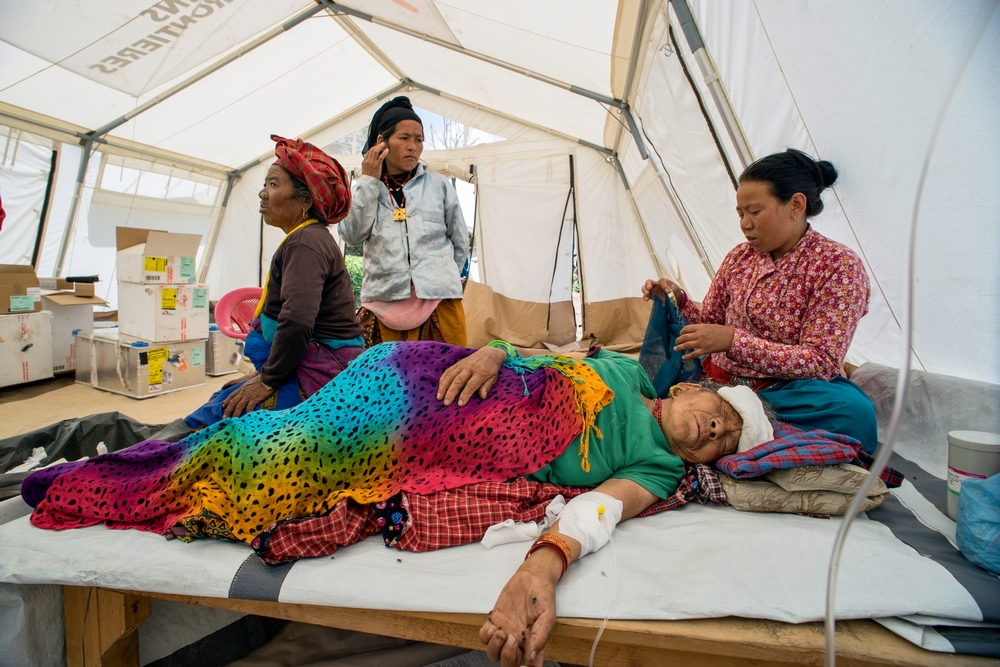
point(790, 172)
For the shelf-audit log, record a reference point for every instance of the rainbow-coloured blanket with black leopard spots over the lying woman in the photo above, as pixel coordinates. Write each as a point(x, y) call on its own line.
point(373, 431)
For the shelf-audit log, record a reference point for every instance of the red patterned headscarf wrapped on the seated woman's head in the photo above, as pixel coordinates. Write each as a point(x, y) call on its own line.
point(325, 177)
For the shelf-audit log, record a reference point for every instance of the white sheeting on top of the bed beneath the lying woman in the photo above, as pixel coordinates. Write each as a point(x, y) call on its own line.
point(694, 562)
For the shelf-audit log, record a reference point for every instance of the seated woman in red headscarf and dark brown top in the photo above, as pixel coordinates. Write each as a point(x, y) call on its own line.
point(306, 330)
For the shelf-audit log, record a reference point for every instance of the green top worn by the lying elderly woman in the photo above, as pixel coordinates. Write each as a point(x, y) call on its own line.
point(633, 446)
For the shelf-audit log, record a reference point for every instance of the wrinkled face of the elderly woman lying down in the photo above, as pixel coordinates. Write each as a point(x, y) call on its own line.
point(700, 426)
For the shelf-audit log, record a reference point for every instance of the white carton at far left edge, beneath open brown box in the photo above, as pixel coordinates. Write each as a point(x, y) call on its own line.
point(25, 348)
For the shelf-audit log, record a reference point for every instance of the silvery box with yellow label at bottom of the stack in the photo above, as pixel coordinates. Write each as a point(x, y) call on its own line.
point(139, 369)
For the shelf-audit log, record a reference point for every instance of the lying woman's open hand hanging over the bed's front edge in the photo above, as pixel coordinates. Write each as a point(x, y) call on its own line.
point(518, 628)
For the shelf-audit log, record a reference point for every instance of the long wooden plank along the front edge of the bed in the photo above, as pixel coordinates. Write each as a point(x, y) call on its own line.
point(711, 642)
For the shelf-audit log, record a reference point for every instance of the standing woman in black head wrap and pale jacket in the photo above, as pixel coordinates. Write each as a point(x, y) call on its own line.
point(414, 235)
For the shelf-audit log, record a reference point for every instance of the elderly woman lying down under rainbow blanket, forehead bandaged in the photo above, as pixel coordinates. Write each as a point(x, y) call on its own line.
point(423, 417)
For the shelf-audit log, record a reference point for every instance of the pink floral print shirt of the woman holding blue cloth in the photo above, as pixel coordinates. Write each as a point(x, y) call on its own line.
point(793, 318)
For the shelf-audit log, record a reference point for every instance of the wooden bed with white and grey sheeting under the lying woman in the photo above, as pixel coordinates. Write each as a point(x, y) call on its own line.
point(703, 584)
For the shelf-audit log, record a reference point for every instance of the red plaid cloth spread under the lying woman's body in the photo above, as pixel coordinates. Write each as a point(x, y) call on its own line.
point(449, 518)
